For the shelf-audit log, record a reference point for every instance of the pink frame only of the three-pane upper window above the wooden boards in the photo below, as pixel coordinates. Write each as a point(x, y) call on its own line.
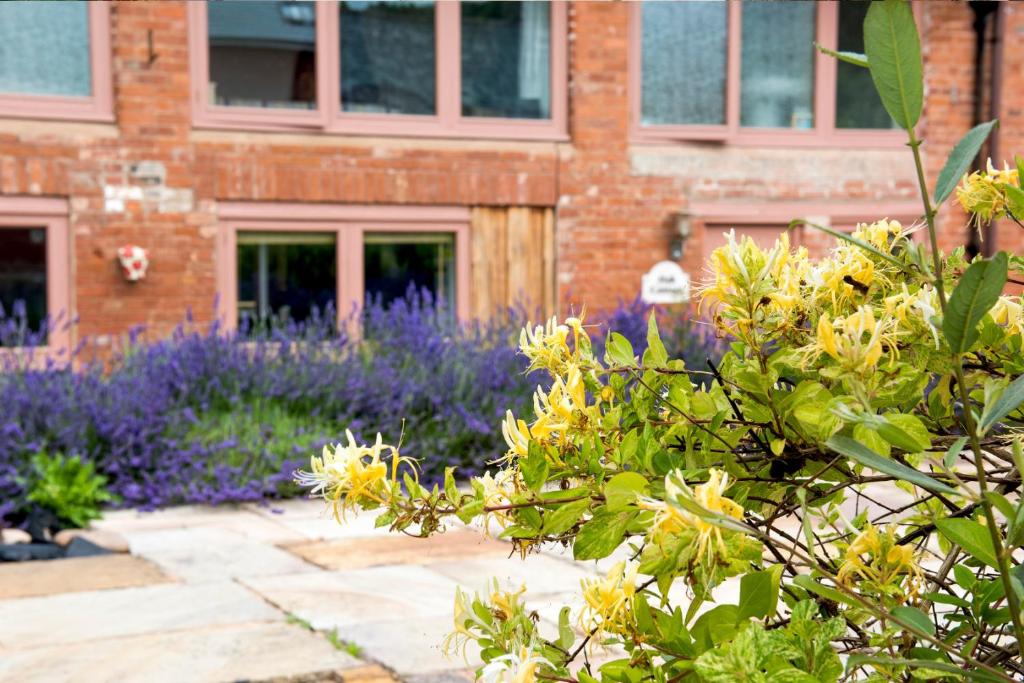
point(329, 117)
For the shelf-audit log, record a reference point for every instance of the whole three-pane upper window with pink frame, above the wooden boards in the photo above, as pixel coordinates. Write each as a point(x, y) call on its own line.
point(466, 69)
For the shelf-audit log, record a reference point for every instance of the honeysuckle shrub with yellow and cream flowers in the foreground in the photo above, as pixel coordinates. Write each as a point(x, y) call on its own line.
point(881, 368)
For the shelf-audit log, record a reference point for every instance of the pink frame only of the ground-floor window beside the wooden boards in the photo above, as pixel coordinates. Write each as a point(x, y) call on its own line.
point(350, 225)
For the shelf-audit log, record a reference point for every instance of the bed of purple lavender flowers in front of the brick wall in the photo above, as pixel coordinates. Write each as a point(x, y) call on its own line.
point(204, 417)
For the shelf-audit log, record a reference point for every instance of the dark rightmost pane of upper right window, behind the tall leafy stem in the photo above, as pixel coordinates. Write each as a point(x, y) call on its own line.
point(858, 104)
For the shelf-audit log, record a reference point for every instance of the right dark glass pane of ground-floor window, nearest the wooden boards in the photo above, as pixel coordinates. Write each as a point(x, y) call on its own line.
point(394, 263)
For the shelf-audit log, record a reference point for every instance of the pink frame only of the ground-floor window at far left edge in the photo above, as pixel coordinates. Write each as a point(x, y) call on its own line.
point(51, 215)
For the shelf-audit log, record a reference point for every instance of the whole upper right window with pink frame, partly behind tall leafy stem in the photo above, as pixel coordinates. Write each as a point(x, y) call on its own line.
point(748, 72)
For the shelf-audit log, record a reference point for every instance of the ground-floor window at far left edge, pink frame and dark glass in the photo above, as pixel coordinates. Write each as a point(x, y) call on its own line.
point(34, 273)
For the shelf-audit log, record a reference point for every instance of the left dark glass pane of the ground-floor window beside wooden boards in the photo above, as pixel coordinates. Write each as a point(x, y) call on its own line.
point(285, 277)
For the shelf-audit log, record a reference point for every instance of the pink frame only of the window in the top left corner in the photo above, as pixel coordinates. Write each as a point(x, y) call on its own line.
point(98, 107)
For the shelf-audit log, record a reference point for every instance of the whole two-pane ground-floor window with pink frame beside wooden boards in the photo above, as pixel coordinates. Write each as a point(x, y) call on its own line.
point(281, 262)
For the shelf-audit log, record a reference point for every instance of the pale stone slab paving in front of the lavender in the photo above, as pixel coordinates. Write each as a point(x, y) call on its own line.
point(251, 593)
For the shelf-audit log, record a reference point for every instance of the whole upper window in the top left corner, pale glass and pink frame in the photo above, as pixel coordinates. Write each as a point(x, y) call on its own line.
point(56, 61)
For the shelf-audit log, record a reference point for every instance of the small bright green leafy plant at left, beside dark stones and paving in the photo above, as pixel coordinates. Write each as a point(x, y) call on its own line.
point(70, 488)
